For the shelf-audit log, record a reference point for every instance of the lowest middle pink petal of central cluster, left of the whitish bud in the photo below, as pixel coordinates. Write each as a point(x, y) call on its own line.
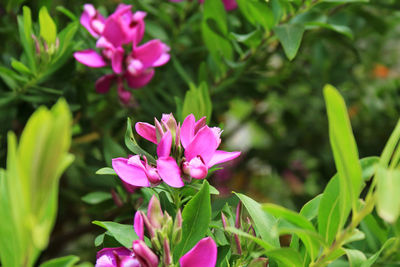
point(169, 172)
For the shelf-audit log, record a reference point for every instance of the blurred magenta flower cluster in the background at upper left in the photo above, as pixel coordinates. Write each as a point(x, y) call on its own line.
point(118, 38)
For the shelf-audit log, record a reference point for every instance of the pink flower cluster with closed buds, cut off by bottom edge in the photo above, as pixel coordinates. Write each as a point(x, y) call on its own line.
point(163, 233)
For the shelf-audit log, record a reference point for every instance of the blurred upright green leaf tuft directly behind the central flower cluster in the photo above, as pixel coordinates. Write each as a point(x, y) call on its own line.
point(197, 102)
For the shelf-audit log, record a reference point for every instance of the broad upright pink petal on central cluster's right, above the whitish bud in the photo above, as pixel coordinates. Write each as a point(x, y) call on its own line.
point(203, 144)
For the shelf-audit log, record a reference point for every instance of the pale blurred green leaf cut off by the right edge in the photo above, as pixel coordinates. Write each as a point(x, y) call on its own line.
point(387, 192)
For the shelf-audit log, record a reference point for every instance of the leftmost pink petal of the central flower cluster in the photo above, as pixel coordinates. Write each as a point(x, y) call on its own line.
point(130, 174)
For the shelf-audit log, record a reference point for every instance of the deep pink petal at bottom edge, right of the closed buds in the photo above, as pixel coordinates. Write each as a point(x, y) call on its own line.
point(204, 254)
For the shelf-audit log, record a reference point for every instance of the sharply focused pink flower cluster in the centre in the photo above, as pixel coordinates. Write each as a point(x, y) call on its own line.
point(184, 152)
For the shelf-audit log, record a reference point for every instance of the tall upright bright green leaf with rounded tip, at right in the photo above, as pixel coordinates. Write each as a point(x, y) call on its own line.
point(344, 148)
